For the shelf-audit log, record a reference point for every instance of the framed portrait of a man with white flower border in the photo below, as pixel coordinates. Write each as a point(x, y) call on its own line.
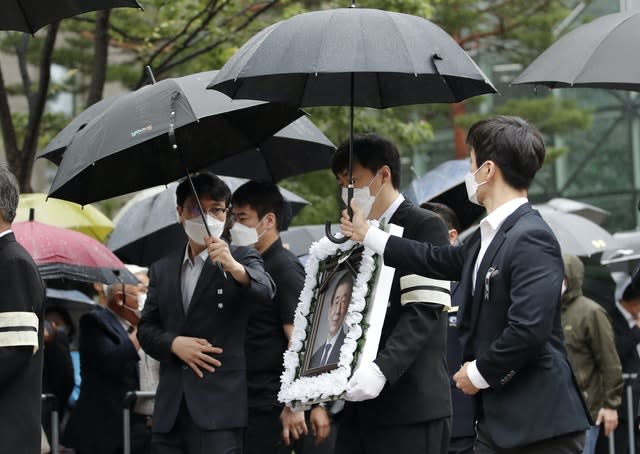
point(338, 320)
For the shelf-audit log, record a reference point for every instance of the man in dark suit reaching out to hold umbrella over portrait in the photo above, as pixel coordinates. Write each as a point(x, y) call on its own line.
point(510, 275)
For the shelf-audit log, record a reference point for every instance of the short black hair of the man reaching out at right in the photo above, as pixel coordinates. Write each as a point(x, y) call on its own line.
point(513, 144)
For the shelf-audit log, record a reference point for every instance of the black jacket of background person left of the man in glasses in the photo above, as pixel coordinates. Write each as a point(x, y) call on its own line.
point(109, 369)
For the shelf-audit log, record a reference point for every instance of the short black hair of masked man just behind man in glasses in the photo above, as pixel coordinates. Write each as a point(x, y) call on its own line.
point(263, 197)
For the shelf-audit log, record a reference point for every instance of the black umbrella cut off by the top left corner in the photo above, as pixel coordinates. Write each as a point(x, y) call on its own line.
point(30, 15)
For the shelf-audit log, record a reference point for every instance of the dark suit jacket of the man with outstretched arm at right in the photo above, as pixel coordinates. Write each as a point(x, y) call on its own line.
point(510, 325)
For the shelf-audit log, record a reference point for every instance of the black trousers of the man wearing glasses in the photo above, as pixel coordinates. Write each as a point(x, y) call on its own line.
point(187, 438)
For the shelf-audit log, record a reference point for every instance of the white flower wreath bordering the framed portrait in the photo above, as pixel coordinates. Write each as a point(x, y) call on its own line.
point(301, 391)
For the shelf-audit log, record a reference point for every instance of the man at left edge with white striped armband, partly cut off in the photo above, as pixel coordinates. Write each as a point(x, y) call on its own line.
point(21, 334)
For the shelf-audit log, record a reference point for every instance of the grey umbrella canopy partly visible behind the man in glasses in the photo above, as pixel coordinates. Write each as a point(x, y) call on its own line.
point(147, 226)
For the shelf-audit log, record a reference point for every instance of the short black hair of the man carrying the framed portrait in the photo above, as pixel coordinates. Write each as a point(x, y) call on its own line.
point(372, 152)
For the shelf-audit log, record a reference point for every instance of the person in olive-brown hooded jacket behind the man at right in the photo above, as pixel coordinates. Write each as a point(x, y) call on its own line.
point(590, 343)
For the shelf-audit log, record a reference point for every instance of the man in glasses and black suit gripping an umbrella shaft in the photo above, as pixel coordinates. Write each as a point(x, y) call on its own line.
point(197, 306)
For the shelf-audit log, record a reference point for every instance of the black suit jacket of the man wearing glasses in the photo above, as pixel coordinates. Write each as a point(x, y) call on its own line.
point(218, 312)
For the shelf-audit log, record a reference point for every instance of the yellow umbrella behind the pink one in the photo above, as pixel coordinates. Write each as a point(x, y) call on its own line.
point(60, 213)
